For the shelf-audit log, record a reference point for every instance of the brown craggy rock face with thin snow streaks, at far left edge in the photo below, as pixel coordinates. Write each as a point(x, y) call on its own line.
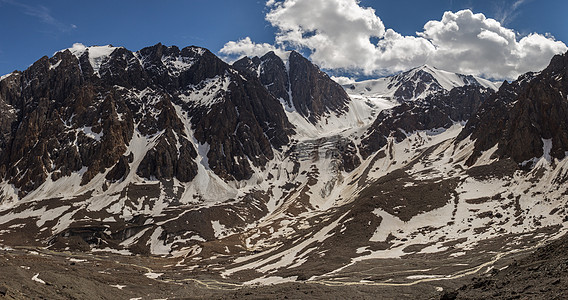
point(60, 116)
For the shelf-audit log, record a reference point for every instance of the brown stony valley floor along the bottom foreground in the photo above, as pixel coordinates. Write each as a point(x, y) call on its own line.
point(38, 273)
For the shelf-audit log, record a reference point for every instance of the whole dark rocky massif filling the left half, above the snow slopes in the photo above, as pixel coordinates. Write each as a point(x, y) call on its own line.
point(63, 114)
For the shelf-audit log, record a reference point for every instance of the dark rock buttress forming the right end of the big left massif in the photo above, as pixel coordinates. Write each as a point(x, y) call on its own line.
point(244, 123)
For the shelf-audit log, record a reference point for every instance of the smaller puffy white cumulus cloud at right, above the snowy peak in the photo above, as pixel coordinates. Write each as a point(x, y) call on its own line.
point(473, 44)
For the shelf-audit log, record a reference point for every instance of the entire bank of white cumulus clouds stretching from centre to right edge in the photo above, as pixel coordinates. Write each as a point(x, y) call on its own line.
point(343, 35)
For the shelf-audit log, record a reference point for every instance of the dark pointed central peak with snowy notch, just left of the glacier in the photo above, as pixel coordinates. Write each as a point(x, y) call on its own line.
point(302, 86)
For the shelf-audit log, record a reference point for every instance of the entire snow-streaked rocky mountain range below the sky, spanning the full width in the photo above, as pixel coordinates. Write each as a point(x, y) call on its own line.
point(267, 171)
